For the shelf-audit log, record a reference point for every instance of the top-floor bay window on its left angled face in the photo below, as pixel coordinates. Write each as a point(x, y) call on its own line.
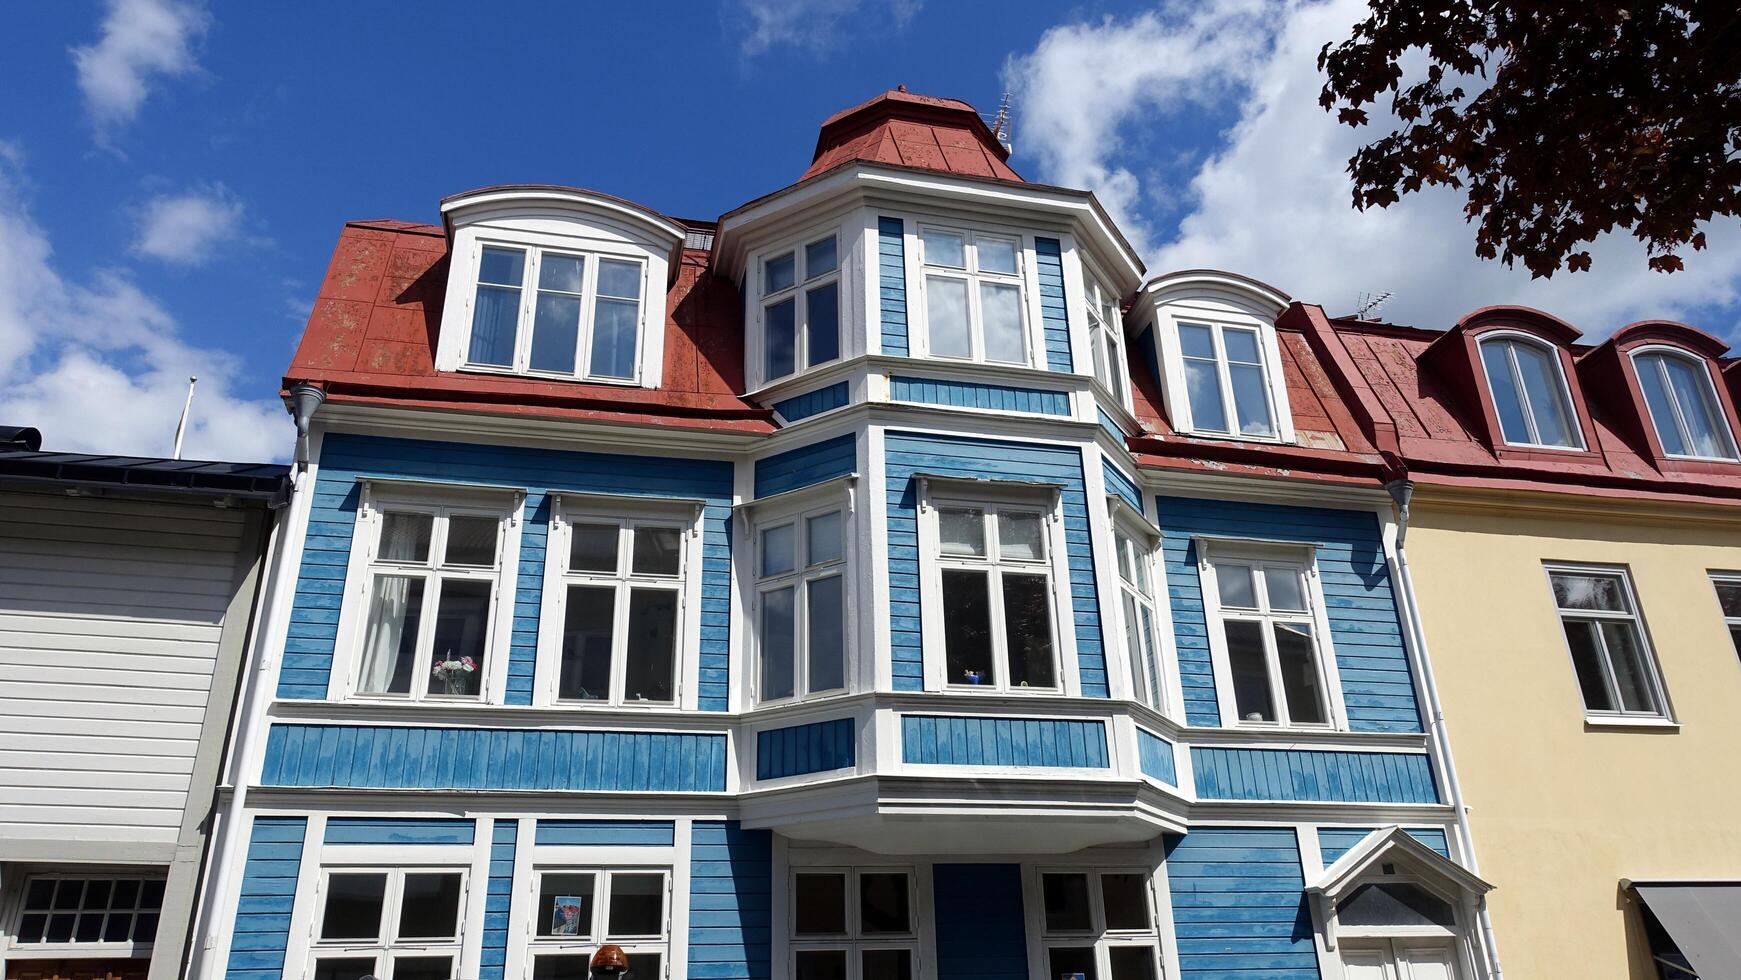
point(802, 307)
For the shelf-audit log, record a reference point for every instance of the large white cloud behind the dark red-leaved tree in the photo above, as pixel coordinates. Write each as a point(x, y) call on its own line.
point(1272, 198)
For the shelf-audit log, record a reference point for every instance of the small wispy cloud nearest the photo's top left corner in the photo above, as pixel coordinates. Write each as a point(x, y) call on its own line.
point(142, 39)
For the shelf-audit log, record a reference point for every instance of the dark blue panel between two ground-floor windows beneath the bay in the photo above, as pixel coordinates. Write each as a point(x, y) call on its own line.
point(981, 929)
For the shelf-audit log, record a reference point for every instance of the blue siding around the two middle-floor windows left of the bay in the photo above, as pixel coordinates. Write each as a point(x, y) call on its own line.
point(326, 553)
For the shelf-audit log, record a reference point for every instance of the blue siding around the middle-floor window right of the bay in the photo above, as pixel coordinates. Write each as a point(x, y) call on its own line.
point(1366, 633)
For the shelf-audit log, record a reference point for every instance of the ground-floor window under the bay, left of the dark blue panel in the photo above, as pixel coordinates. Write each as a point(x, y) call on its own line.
point(854, 925)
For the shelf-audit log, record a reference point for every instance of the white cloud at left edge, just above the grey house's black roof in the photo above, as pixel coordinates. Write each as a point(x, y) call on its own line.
point(102, 368)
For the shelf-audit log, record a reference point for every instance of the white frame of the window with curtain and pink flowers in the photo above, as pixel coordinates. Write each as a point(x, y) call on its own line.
point(410, 497)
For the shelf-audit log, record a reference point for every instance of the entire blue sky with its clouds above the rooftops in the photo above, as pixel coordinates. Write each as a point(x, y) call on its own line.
point(173, 175)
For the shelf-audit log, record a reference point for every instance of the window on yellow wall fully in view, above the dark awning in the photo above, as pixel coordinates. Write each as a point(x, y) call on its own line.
point(1604, 633)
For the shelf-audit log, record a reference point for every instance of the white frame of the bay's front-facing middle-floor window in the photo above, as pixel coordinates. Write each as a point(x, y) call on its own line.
point(944, 495)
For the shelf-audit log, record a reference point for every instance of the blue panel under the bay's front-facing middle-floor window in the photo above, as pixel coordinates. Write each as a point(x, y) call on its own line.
point(953, 741)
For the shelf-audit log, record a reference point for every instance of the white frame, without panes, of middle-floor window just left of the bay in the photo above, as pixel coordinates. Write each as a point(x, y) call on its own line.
point(626, 513)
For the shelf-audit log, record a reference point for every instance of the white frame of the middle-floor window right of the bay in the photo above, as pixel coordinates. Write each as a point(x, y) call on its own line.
point(1282, 554)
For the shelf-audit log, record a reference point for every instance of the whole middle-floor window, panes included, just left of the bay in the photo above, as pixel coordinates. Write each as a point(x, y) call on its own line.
point(615, 598)
